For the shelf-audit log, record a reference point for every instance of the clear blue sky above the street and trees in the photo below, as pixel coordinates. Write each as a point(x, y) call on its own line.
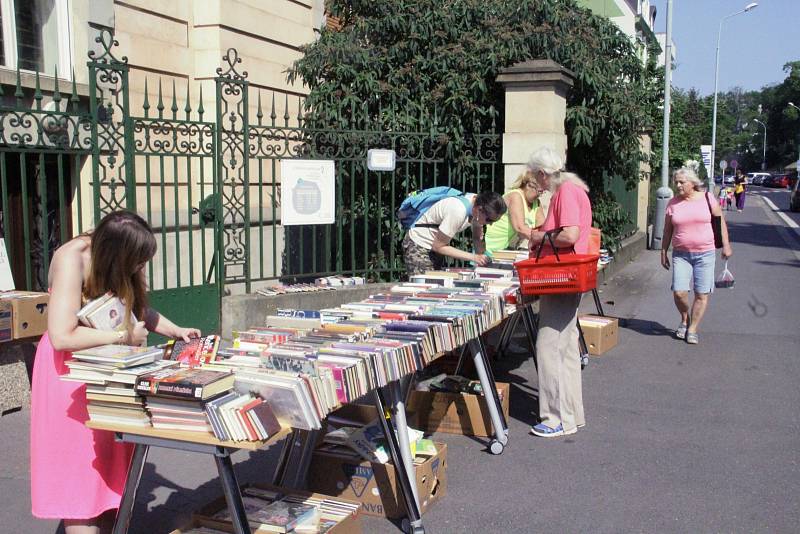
point(753, 49)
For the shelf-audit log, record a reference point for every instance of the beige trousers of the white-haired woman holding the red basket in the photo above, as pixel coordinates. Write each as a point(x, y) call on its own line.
point(559, 365)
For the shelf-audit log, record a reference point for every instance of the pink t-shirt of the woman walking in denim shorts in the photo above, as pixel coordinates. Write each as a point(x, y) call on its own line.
point(691, 223)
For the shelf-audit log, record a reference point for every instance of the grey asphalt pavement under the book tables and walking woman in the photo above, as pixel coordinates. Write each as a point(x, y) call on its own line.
point(679, 438)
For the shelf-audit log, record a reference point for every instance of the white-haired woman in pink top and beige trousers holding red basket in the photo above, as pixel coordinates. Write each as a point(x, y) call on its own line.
point(559, 369)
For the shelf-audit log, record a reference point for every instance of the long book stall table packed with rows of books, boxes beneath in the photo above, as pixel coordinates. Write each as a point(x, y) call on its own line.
point(281, 381)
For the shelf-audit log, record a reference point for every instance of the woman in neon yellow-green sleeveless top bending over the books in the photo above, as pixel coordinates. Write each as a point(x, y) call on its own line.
point(523, 215)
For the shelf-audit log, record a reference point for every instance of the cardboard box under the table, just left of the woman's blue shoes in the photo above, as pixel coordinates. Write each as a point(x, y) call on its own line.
point(454, 413)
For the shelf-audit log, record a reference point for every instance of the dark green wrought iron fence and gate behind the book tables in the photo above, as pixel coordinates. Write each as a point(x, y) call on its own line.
point(210, 188)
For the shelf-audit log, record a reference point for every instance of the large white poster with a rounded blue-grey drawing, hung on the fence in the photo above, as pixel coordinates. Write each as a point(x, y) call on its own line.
point(307, 192)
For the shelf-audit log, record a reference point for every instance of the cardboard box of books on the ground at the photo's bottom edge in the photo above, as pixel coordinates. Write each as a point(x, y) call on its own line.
point(272, 509)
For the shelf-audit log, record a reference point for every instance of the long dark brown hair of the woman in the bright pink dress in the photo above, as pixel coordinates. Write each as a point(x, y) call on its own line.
point(121, 244)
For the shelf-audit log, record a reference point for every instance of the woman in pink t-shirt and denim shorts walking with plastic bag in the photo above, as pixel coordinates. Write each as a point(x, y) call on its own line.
point(687, 226)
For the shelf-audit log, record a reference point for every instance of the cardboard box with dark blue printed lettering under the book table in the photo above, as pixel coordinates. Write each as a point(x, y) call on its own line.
point(373, 484)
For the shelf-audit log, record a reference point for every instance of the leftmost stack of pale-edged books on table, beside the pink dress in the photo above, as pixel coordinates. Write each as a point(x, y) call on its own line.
point(110, 372)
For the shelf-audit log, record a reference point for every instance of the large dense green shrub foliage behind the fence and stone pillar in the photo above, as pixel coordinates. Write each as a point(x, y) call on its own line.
point(437, 61)
